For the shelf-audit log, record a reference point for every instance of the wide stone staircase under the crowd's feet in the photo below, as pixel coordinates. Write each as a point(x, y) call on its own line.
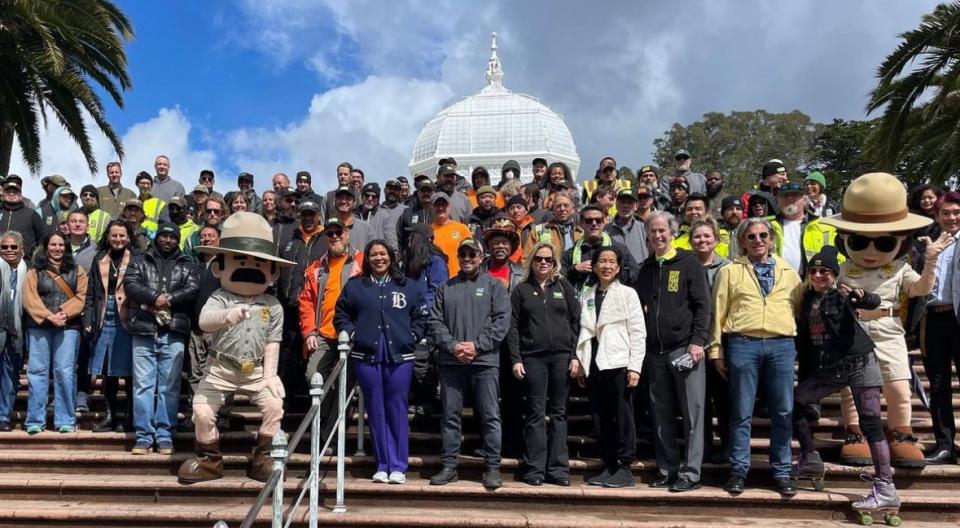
point(90, 479)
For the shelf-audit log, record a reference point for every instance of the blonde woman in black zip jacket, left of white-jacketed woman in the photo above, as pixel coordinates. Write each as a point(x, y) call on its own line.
point(542, 338)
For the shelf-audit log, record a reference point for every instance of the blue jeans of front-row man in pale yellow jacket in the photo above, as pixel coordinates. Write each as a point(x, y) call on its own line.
point(752, 361)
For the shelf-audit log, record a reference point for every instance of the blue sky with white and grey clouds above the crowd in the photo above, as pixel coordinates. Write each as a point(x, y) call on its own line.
point(267, 86)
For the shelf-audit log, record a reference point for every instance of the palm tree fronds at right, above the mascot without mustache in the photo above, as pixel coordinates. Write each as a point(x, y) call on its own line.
point(921, 108)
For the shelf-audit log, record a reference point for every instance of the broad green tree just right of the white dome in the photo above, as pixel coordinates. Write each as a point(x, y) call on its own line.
point(739, 143)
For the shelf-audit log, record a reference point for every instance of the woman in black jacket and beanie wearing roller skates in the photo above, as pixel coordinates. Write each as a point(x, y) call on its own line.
point(836, 352)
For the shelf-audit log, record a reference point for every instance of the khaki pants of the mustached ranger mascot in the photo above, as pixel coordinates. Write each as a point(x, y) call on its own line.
point(219, 382)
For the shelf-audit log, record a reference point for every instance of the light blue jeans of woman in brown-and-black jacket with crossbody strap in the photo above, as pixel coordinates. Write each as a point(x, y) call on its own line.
point(54, 348)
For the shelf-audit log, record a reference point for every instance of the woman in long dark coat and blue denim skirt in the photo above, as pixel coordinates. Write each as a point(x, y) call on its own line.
point(103, 323)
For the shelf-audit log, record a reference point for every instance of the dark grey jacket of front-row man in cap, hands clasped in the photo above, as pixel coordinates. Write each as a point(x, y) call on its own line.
point(473, 309)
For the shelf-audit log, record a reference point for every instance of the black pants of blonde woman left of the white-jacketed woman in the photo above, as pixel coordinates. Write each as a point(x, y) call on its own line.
point(546, 386)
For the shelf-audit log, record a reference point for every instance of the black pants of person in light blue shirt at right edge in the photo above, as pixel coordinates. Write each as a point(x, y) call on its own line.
point(940, 341)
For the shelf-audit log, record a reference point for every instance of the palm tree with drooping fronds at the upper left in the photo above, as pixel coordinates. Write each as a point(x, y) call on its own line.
point(53, 56)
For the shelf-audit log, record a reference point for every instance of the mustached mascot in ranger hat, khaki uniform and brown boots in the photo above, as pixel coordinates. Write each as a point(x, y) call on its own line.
point(245, 327)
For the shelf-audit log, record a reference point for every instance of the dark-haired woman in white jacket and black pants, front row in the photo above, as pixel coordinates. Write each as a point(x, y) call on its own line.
point(610, 352)
